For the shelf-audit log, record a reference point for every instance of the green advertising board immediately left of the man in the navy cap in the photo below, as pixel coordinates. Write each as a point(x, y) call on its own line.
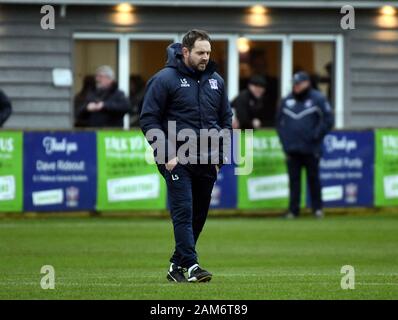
point(267, 186)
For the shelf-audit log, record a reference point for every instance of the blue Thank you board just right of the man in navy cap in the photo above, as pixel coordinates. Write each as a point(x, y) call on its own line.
point(346, 169)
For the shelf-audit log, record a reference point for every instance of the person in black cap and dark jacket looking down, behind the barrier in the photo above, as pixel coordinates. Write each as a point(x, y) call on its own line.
point(250, 106)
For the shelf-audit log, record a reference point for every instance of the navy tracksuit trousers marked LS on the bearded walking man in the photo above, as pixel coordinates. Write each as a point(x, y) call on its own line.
point(189, 189)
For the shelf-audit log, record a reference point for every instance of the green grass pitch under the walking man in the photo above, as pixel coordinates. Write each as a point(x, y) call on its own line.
point(251, 258)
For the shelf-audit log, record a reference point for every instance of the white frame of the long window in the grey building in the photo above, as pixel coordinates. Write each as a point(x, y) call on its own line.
point(233, 58)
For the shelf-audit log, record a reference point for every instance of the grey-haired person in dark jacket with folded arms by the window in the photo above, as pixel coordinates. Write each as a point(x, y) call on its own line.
point(105, 105)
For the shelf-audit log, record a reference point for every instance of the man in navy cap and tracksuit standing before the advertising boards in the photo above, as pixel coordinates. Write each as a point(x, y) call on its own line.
point(303, 119)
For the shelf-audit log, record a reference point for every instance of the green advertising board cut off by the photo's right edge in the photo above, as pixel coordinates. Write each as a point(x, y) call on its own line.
point(386, 168)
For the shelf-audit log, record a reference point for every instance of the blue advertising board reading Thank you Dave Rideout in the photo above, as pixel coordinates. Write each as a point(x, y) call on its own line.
point(60, 171)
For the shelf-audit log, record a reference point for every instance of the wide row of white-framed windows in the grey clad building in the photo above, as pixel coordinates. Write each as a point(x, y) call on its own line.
point(136, 57)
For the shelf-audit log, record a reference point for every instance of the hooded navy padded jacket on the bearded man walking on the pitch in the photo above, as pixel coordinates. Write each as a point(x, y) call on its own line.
point(194, 100)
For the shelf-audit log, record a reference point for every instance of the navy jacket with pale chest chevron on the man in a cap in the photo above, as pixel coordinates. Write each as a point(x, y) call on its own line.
point(302, 124)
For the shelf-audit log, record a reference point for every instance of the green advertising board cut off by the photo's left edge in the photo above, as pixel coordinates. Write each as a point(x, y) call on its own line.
point(11, 171)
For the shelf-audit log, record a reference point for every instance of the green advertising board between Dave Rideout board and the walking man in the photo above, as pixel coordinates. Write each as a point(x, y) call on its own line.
point(125, 178)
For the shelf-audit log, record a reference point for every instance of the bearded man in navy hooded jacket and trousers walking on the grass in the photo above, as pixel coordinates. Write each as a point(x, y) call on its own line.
point(189, 93)
